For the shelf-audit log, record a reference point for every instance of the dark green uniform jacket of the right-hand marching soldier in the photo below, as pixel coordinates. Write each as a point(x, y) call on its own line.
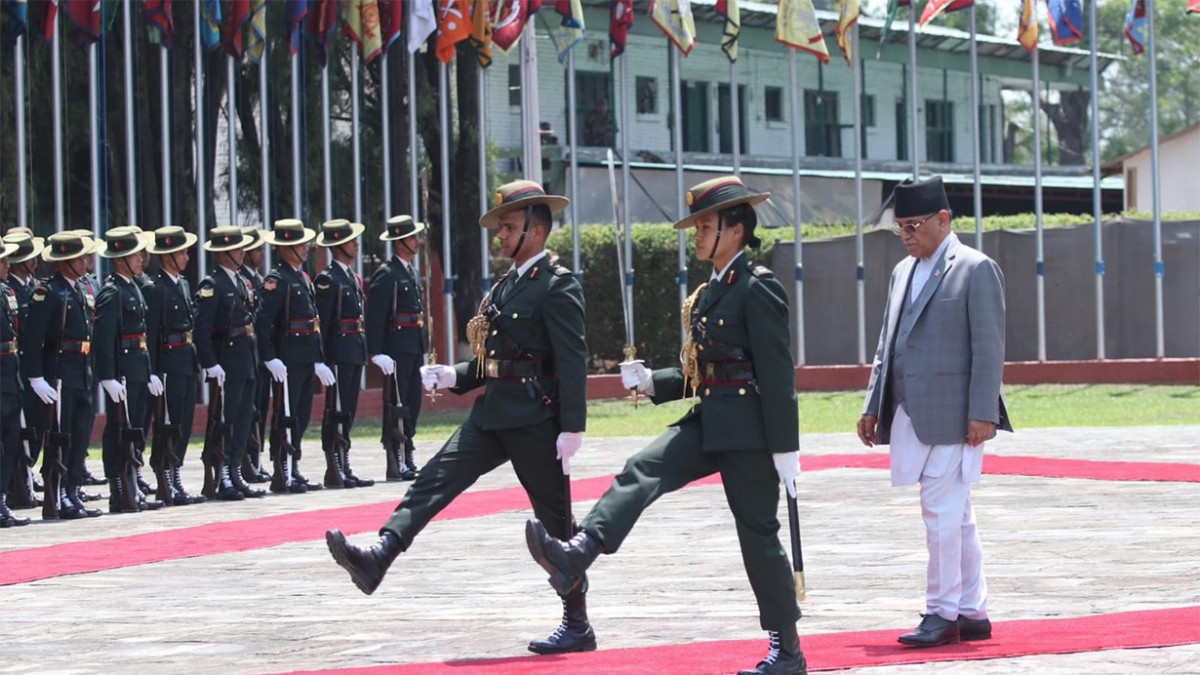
point(742, 316)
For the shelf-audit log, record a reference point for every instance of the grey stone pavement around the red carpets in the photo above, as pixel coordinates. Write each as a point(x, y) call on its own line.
point(1055, 548)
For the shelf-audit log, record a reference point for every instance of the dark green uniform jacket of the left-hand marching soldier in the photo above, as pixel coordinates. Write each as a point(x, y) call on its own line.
point(537, 316)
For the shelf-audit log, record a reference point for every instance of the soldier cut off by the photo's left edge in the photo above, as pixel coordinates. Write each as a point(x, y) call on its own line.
point(10, 392)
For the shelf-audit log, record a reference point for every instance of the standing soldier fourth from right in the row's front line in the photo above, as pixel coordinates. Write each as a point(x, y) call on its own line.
point(227, 349)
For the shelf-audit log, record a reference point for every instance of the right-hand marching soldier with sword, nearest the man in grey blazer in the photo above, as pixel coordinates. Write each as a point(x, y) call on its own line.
point(737, 359)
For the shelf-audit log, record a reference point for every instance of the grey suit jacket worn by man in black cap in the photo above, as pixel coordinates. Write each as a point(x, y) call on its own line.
point(953, 336)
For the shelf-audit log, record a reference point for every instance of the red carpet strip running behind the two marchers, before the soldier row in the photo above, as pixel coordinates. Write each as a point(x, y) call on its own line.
point(45, 563)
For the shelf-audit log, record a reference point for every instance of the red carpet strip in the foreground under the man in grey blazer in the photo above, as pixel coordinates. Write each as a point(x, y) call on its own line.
point(837, 652)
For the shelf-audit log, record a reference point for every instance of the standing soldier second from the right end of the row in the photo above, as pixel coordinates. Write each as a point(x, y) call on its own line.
point(340, 302)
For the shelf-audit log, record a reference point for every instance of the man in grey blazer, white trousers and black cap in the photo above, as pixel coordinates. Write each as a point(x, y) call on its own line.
point(935, 397)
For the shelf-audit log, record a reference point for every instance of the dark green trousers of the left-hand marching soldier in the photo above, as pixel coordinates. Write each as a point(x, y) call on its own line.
point(471, 453)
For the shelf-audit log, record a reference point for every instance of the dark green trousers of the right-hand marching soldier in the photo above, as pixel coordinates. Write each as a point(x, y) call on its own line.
point(752, 491)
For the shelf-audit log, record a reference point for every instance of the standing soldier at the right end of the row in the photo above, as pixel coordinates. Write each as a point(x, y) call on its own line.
point(397, 336)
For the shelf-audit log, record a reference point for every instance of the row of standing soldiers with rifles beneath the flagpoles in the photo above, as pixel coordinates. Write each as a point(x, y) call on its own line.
point(151, 344)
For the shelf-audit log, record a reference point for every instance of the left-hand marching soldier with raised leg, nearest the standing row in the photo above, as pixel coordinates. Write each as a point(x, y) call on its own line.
point(532, 360)
